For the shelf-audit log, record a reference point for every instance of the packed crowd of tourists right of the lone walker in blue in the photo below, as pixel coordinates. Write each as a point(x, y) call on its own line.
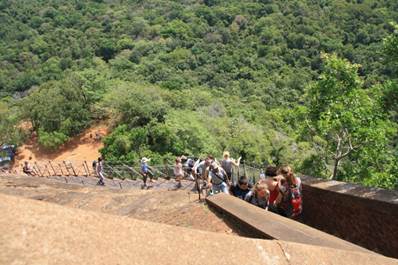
point(279, 190)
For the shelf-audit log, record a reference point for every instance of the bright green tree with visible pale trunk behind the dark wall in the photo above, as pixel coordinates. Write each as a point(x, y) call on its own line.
point(342, 113)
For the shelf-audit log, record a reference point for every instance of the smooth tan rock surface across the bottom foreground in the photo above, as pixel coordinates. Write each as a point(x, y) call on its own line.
point(37, 232)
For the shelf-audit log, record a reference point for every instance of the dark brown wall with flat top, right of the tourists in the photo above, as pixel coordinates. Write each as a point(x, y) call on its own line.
point(364, 216)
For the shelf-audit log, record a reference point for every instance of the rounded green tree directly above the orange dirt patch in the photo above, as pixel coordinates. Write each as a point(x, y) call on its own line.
point(56, 110)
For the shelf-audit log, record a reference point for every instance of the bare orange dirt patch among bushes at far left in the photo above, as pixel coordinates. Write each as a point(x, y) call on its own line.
point(81, 147)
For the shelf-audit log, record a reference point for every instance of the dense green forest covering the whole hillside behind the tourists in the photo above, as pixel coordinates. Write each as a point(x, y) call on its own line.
point(309, 83)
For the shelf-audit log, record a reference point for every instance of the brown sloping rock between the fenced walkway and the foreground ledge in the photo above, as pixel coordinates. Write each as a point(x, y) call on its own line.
point(180, 208)
